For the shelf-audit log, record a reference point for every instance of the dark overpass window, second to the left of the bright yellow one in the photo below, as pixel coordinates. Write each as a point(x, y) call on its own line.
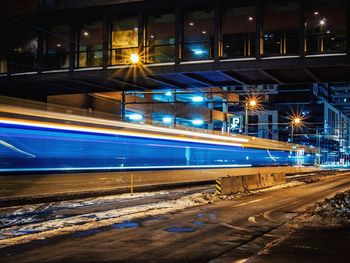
point(56, 53)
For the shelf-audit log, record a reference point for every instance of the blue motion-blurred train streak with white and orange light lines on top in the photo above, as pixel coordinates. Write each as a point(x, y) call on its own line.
point(28, 145)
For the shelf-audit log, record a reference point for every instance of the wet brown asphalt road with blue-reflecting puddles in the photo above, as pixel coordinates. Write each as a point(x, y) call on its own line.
point(222, 232)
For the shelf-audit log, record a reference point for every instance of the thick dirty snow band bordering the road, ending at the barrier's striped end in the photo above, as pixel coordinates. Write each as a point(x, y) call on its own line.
point(35, 231)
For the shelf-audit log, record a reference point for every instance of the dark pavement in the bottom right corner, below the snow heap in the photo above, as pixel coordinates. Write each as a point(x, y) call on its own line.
point(310, 244)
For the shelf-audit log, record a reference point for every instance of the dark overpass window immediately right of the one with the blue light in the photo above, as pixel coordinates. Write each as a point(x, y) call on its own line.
point(238, 30)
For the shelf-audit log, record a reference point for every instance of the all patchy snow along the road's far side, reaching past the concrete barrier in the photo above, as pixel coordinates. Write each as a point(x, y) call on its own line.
point(23, 224)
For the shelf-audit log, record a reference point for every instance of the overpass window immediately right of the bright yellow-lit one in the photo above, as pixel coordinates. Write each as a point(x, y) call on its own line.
point(160, 38)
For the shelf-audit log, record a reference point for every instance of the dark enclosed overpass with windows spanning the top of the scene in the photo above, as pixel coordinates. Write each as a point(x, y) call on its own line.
point(180, 45)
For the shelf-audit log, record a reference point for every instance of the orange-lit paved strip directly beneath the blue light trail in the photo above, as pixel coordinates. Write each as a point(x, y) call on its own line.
point(25, 189)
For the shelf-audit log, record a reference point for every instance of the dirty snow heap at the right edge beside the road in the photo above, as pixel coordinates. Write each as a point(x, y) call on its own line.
point(335, 210)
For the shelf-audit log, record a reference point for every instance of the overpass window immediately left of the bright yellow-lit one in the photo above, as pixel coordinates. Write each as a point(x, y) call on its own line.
point(90, 45)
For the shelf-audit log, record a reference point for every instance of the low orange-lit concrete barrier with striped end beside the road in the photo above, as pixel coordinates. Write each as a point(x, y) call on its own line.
point(235, 184)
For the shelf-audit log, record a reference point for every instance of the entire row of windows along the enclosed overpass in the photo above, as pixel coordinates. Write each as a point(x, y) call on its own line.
point(324, 21)
